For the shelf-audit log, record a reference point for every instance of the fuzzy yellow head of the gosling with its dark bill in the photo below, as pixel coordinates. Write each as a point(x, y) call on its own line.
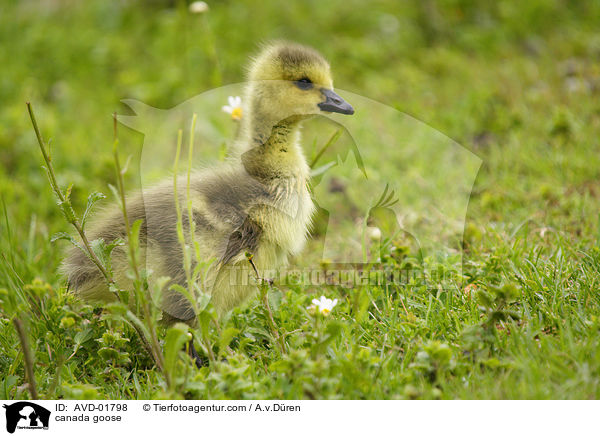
point(291, 81)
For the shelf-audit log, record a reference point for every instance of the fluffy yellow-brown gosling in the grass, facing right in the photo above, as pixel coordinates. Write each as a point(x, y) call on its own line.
point(257, 203)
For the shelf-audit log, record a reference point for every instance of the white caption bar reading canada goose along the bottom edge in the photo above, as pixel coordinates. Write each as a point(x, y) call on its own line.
point(264, 418)
